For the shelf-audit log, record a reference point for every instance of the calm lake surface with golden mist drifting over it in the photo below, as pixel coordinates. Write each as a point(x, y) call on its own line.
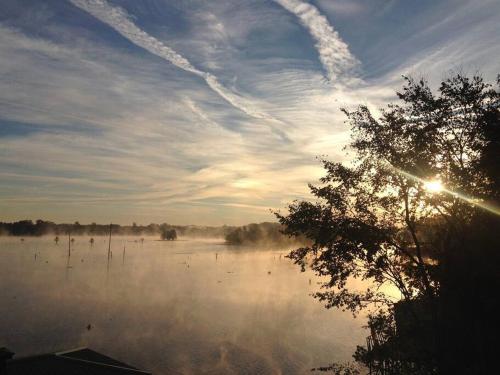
point(171, 307)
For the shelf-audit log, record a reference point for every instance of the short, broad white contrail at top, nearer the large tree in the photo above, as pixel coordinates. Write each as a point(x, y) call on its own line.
point(333, 52)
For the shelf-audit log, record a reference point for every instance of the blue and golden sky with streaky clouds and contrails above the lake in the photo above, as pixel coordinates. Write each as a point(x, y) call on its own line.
point(205, 112)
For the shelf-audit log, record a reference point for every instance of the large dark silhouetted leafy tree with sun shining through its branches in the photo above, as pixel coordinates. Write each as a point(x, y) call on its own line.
point(416, 209)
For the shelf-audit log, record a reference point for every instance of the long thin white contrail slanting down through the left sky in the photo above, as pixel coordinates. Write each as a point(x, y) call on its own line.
point(119, 19)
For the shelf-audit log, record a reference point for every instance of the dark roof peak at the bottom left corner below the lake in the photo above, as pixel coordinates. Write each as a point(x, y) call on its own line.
point(75, 362)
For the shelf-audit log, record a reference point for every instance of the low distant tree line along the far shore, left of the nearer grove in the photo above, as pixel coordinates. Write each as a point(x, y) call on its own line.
point(41, 227)
